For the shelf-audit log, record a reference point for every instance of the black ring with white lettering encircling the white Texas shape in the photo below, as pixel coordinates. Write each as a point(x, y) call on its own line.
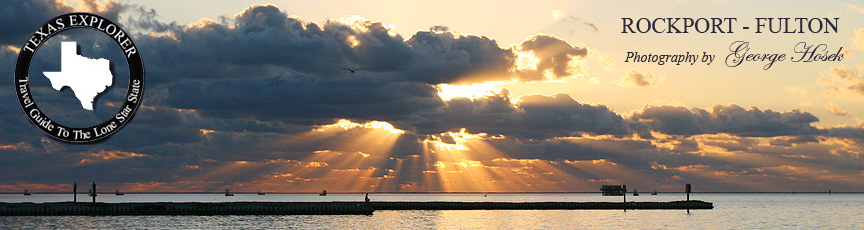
point(96, 132)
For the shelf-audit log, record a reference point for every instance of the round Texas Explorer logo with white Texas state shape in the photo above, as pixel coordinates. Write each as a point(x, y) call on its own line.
point(81, 74)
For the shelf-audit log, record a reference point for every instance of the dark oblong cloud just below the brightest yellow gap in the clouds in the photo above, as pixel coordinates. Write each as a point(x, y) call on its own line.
point(534, 116)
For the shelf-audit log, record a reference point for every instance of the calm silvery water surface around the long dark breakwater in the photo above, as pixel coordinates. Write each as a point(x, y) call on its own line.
point(732, 211)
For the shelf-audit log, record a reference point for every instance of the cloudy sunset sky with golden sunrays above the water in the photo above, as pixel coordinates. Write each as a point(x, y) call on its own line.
point(452, 96)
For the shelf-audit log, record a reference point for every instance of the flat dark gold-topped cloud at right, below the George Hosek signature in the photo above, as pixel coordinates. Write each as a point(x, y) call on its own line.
point(731, 119)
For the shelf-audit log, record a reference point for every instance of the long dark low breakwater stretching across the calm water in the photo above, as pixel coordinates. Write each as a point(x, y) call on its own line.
point(311, 208)
